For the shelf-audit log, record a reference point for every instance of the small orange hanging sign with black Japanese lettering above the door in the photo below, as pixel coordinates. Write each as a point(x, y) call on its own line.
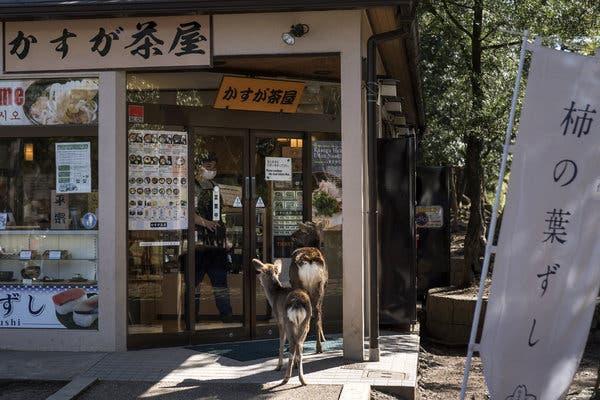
point(252, 94)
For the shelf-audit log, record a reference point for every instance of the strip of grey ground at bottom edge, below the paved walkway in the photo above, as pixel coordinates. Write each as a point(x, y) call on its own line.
point(194, 390)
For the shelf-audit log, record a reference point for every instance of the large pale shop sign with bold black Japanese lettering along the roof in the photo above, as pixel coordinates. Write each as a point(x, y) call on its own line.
point(114, 43)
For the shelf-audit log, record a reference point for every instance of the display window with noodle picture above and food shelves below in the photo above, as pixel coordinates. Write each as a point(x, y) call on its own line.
point(49, 203)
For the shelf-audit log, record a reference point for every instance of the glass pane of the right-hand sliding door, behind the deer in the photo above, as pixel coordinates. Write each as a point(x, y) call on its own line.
point(278, 207)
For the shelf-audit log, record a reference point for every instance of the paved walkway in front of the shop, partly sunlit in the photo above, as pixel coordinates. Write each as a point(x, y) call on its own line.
point(396, 370)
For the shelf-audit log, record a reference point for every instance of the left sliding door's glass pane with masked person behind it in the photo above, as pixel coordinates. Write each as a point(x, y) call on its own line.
point(219, 175)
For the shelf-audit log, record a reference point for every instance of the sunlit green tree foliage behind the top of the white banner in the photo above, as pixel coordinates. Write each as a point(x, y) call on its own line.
point(446, 28)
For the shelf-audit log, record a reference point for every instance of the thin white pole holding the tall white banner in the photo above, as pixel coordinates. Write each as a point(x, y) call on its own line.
point(492, 227)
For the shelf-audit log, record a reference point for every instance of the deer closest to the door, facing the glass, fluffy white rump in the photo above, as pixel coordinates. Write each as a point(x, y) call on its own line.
point(308, 271)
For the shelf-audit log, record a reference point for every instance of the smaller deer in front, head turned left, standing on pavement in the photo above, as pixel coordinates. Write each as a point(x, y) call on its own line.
point(292, 311)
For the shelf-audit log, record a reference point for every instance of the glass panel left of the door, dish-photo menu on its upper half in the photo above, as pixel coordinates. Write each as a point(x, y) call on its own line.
point(157, 219)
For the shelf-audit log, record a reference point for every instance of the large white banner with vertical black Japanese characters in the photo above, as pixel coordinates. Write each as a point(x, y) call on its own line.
point(547, 270)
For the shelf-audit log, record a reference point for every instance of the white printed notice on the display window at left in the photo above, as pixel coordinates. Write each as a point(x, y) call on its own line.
point(73, 167)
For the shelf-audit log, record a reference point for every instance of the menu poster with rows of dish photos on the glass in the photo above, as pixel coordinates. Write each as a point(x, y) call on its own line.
point(158, 187)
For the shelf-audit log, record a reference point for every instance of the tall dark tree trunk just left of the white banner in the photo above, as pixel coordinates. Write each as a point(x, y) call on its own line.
point(474, 240)
